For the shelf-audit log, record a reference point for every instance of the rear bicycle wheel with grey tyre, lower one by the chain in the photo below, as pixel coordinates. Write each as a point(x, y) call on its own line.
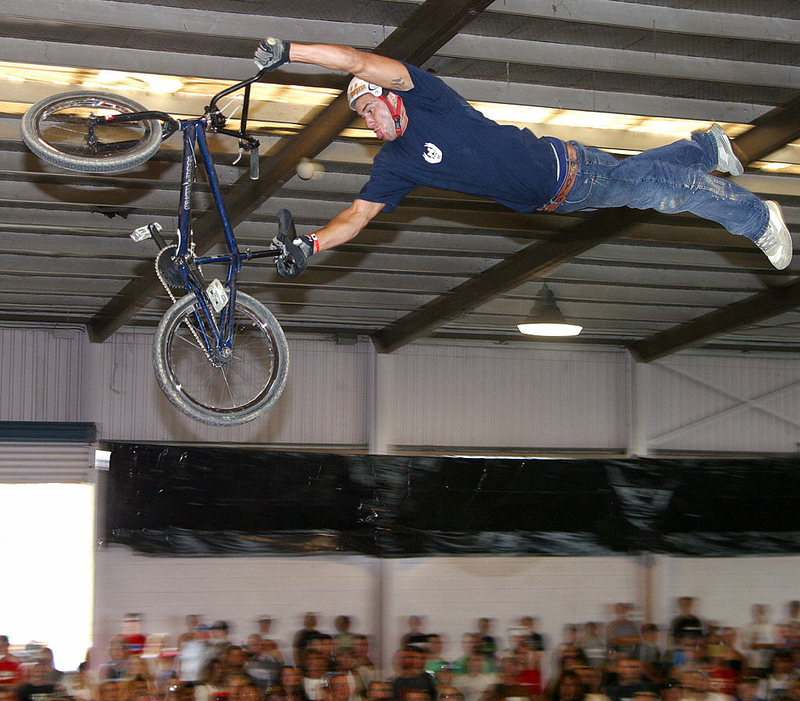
point(236, 391)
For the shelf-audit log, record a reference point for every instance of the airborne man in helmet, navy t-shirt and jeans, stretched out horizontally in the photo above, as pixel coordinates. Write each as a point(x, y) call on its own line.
point(433, 137)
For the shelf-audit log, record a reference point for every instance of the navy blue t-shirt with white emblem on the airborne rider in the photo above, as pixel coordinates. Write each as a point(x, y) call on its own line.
point(450, 145)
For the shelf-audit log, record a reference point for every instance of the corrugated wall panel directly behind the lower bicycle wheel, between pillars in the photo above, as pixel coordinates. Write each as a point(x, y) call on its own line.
point(324, 403)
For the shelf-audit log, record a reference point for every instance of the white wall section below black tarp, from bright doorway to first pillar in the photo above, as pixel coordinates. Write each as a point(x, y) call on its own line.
point(235, 589)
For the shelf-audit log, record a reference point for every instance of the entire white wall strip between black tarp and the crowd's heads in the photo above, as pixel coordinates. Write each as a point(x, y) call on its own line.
point(450, 592)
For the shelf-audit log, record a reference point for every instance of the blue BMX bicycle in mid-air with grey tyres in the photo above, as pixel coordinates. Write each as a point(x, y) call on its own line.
point(220, 356)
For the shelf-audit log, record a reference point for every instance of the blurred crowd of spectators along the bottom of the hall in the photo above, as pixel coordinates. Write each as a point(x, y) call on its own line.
point(620, 660)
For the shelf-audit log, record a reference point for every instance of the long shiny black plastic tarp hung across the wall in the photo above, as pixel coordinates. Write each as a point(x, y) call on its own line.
point(175, 500)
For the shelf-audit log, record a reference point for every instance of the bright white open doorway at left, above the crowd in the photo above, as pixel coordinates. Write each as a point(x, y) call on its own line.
point(46, 550)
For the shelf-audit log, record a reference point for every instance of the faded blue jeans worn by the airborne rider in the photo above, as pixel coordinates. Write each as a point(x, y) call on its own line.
point(669, 179)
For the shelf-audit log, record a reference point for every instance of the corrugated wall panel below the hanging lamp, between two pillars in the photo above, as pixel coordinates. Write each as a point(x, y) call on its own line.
point(510, 398)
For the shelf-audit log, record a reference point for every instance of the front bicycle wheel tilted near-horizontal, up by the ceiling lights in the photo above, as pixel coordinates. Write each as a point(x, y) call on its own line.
point(59, 130)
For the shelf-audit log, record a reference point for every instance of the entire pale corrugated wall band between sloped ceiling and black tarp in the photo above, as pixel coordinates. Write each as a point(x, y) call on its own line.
point(545, 399)
